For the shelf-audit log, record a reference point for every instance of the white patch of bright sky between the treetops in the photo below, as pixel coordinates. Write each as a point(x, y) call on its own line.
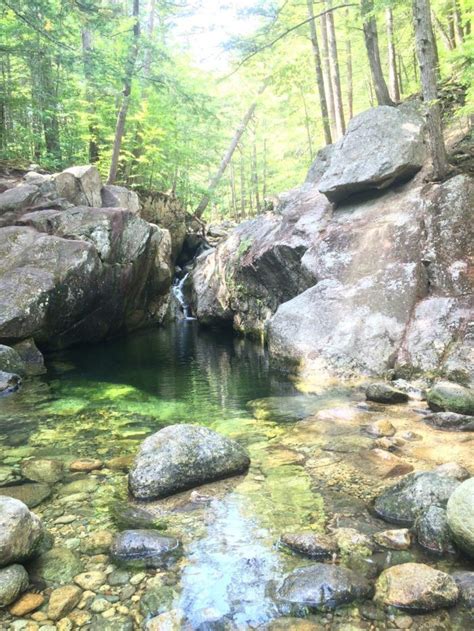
point(210, 26)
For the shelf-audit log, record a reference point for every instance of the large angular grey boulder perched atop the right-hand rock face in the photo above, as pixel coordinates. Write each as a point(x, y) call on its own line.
point(381, 146)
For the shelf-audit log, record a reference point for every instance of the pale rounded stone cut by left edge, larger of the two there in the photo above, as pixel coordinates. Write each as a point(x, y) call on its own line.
point(20, 530)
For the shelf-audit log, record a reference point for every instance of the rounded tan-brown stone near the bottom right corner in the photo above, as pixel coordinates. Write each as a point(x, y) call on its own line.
point(416, 587)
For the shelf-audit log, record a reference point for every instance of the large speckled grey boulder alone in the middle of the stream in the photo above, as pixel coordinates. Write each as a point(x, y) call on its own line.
point(180, 457)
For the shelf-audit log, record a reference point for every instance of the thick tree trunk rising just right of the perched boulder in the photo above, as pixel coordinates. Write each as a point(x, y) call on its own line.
point(425, 50)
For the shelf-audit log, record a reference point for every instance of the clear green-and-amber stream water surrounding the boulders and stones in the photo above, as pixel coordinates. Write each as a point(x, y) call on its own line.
point(306, 473)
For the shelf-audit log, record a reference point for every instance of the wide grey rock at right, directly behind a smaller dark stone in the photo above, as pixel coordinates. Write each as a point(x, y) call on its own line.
point(404, 501)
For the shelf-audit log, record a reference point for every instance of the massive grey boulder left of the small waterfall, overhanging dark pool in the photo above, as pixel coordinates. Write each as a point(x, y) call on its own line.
point(81, 275)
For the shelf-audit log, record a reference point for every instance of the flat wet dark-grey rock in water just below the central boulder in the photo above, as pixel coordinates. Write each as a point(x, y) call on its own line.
point(143, 548)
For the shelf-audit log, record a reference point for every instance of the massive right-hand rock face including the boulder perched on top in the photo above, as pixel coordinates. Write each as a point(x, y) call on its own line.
point(382, 280)
